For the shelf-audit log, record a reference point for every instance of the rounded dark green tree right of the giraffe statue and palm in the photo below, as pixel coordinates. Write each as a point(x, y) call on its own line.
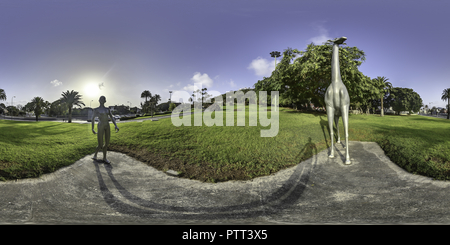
point(404, 99)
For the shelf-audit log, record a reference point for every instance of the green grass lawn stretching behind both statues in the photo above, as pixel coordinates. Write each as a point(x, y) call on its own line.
point(416, 143)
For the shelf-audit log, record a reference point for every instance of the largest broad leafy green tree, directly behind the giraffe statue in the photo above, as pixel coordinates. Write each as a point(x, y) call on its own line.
point(305, 79)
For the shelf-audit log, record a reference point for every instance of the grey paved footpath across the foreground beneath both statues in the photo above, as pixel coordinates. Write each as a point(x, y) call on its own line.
point(372, 190)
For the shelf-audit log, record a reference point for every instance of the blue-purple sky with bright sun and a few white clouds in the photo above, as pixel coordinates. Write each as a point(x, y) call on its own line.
point(121, 48)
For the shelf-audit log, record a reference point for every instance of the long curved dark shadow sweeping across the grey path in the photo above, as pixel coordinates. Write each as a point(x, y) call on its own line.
point(295, 185)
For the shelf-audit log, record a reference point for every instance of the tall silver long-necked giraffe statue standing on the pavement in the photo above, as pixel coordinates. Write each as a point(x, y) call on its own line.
point(337, 99)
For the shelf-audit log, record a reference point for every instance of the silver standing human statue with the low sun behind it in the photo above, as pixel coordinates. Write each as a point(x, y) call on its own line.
point(103, 128)
